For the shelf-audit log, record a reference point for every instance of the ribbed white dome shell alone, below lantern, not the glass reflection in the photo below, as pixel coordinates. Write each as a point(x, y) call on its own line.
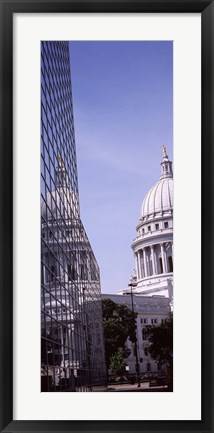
point(159, 199)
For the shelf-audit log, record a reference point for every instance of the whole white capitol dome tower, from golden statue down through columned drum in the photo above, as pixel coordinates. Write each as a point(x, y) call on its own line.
point(153, 245)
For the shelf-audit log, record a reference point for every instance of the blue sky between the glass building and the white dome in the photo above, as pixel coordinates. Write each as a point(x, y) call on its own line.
point(123, 100)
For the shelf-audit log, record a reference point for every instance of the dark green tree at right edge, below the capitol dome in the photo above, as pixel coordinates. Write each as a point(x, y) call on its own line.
point(160, 340)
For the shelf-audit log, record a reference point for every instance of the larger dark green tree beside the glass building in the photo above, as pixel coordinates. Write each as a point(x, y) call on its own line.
point(118, 324)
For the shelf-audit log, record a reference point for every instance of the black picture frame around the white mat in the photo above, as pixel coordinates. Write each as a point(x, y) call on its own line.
point(8, 8)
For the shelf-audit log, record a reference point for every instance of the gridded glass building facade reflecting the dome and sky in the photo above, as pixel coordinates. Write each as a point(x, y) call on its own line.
point(72, 347)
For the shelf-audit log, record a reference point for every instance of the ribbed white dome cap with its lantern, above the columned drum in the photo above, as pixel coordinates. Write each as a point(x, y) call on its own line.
point(159, 200)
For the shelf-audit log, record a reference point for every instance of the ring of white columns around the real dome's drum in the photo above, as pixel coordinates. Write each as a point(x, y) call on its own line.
point(154, 260)
